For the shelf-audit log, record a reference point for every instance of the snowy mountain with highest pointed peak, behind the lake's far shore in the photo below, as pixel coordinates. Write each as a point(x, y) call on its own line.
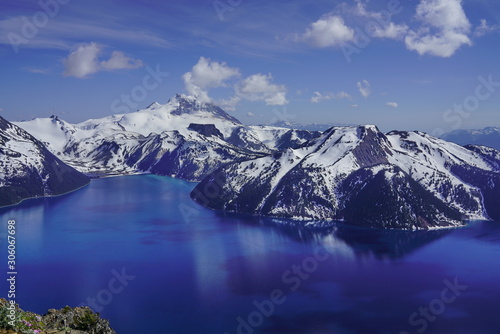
point(184, 138)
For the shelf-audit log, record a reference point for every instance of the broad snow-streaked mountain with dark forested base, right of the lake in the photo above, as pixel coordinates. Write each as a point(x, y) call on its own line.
point(406, 180)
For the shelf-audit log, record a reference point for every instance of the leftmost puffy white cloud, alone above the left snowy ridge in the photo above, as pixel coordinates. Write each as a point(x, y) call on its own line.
point(84, 61)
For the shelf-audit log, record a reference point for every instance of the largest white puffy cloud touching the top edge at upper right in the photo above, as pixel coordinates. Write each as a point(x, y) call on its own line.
point(445, 28)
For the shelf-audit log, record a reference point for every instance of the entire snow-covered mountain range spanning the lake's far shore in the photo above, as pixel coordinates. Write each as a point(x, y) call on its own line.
point(356, 174)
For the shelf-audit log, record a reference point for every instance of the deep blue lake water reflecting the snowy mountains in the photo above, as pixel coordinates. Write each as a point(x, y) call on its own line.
point(155, 262)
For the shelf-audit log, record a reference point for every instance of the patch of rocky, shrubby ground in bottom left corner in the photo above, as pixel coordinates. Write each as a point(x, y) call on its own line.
point(68, 320)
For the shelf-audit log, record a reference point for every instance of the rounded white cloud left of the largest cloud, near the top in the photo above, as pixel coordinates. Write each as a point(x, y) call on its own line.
point(328, 31)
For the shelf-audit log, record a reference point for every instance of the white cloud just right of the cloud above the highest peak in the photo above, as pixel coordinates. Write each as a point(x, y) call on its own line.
point(259, 87)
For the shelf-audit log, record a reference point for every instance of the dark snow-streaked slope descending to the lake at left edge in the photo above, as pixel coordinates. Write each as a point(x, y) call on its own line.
point(28, 169)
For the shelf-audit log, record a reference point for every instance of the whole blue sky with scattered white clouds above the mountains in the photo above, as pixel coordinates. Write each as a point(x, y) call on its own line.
point(429, 65)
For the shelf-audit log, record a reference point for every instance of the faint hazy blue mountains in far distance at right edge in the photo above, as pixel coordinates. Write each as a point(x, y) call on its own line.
point(489, 136)
